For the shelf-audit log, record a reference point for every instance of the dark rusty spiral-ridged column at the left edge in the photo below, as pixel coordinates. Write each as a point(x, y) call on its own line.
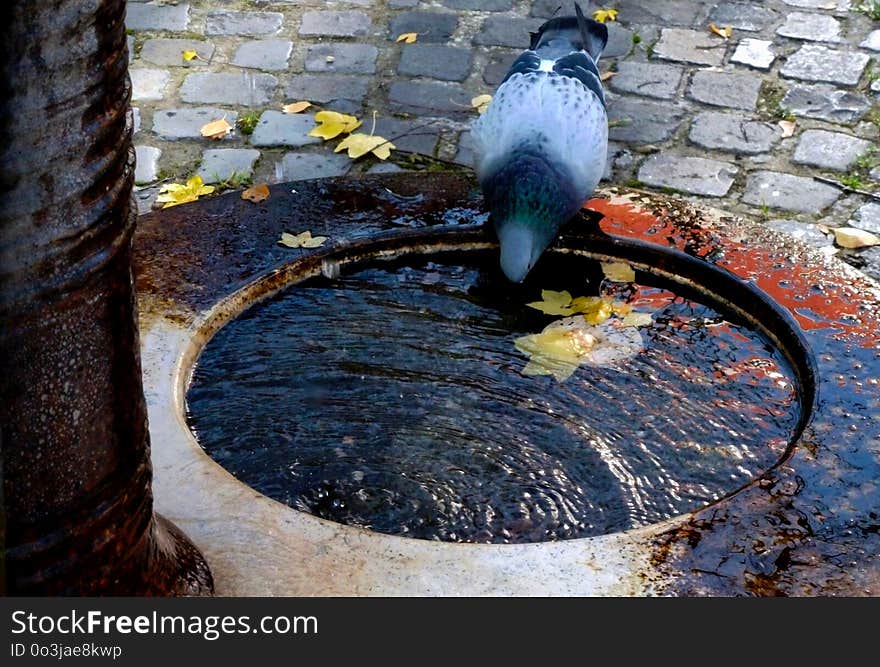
point(77, 506)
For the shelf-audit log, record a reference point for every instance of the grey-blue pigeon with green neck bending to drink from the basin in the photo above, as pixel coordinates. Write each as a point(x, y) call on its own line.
point(541, 145)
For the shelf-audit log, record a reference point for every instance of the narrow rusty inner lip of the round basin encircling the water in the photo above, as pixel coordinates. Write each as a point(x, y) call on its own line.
point(462, 239)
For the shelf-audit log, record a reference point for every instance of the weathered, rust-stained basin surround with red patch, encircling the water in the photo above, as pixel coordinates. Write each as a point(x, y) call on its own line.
point(810, 525)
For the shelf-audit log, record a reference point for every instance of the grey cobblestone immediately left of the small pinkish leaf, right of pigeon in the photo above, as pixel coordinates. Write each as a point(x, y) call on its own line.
point(733, 133)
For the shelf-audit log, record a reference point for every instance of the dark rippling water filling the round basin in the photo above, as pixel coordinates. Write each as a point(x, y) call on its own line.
point(393, 399)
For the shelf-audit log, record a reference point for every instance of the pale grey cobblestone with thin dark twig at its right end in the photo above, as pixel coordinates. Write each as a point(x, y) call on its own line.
point(789, 192)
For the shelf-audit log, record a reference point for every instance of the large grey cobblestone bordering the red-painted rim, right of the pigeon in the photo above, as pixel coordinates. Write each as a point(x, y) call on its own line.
point(694, 175)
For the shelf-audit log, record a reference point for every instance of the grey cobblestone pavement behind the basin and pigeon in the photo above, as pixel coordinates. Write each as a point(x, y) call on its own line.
point(690, 111)
